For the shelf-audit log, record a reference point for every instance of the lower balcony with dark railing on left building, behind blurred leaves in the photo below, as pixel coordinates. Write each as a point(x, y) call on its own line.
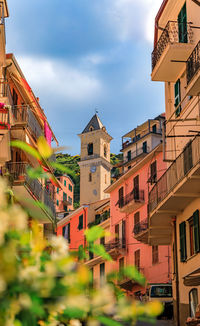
point(27, 189)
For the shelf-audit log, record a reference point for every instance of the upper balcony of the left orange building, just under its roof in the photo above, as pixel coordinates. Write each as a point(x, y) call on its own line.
point(23, 116)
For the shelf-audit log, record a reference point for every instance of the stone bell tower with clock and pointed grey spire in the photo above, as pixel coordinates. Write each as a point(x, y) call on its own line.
point(95, 164)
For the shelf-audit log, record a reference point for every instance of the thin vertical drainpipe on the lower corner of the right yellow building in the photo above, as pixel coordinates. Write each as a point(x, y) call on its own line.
point(177, 274)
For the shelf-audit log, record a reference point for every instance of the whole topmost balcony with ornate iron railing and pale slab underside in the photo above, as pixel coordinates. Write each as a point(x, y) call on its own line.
point(171, 52)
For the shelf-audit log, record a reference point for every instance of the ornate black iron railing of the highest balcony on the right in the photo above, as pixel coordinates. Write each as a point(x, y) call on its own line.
point(170, 35)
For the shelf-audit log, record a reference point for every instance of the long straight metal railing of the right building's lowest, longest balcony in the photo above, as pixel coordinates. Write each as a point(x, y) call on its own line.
point(175, 173)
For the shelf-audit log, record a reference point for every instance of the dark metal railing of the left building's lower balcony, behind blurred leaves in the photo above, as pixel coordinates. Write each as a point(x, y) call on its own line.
point(17, 173)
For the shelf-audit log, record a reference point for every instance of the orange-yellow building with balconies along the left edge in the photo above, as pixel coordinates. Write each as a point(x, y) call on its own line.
point(22, 118)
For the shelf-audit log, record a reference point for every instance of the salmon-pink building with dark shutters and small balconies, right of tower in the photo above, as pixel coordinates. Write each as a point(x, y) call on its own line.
point(129, 221)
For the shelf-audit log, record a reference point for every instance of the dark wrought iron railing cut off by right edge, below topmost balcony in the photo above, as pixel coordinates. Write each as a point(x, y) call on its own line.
point(193, 63)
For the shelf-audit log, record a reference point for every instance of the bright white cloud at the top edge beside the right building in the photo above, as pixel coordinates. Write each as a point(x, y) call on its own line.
point(133, 18)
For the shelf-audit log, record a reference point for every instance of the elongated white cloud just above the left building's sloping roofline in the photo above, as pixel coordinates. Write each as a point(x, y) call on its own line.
point(61, 79)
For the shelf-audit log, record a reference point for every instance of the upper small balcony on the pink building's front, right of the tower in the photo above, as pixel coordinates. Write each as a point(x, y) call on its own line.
point(132, 201)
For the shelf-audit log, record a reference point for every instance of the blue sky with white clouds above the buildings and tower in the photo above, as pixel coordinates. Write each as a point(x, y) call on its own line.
point(84, 55)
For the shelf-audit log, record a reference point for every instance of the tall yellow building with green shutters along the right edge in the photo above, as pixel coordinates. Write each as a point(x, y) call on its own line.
point(174, 202)
